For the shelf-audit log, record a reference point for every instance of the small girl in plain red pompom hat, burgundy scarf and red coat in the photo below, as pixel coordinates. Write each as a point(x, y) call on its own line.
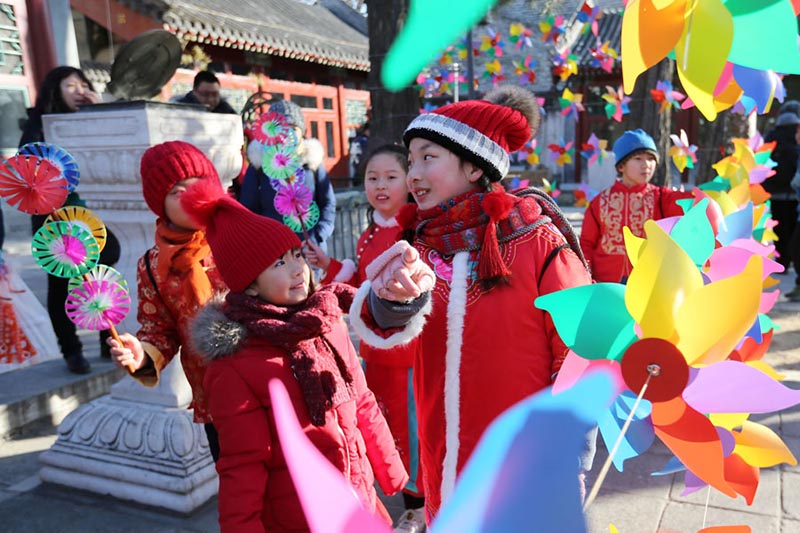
point(275, 325)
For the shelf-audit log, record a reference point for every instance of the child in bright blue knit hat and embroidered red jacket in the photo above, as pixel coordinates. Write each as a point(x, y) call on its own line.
point(629, 202)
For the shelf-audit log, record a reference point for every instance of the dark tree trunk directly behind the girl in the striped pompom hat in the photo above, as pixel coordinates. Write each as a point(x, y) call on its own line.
point(391, 112)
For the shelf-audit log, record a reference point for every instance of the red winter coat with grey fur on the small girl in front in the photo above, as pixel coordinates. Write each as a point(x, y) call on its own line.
point(256, 492)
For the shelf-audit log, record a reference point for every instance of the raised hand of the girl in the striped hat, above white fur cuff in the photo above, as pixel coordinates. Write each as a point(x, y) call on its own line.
point(398, 274)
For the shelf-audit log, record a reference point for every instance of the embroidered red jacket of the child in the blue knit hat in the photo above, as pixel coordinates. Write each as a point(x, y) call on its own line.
point(618, 206)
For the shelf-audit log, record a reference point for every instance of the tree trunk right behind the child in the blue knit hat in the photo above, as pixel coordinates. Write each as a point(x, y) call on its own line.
point(658, 125)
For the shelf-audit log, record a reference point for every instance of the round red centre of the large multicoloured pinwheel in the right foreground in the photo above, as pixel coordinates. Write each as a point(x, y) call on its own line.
point(661, 362)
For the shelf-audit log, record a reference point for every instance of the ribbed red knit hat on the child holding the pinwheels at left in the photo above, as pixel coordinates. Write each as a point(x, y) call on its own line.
point(165, 164)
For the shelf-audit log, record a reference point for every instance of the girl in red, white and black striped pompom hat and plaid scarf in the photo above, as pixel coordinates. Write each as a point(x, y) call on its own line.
point(487, 255)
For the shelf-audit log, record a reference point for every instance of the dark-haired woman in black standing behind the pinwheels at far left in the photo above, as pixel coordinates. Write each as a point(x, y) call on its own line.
point(64, 90)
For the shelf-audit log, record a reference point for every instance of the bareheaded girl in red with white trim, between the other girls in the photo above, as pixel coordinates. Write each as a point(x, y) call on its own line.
point(388, 371)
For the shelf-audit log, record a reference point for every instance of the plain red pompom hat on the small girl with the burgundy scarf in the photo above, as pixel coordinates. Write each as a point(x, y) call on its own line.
point(243, 243)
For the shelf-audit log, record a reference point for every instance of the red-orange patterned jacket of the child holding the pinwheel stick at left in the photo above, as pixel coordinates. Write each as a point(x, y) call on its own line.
point(165, 315)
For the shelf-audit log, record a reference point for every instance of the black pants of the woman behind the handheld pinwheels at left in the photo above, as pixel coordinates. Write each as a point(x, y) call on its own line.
point(57, 289)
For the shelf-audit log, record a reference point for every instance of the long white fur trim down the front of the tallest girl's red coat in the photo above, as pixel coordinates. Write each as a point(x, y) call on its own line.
point(456, 309)
